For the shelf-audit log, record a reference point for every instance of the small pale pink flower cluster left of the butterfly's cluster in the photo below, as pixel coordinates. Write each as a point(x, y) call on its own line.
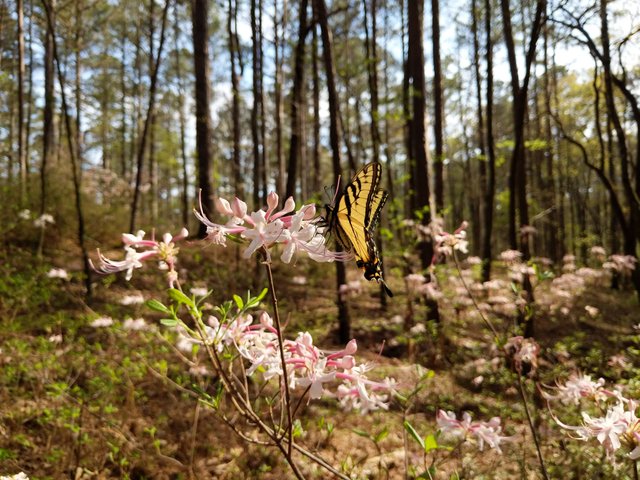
point(139, 250)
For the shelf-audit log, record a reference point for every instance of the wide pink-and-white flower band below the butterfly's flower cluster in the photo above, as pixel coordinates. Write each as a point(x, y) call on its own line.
point(308, 367)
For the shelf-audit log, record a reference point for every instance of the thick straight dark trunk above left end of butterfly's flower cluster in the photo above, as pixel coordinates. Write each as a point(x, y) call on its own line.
point(200, 19)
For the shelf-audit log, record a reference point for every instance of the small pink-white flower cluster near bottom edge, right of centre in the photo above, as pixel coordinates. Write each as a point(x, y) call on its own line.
point(465, 429)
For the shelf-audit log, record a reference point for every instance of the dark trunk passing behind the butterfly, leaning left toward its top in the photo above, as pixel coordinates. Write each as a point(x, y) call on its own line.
point(320, 11)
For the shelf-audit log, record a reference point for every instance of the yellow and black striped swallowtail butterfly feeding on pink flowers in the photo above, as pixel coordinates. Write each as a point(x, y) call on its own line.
point(353, 218)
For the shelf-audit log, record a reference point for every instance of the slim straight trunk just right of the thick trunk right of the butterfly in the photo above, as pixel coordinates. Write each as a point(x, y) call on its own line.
point(438, 123)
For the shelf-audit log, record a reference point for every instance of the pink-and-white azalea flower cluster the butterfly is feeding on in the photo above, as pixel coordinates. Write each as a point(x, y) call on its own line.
point(297, 230)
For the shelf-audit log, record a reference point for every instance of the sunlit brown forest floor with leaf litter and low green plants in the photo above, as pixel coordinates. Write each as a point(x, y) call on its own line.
point(81, 401)
